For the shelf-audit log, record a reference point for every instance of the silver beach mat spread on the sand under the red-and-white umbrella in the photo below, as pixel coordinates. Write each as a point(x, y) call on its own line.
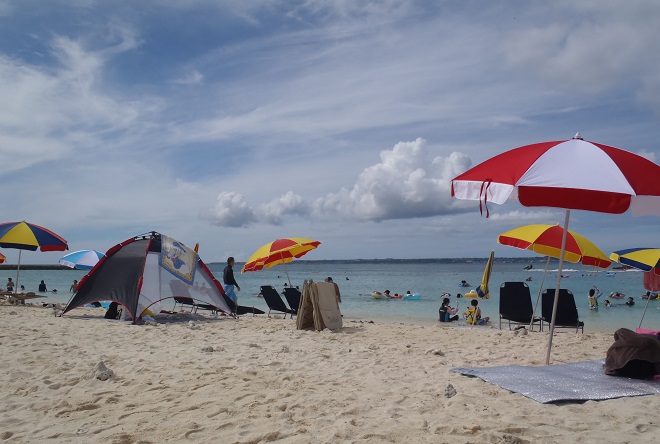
point(581, 381)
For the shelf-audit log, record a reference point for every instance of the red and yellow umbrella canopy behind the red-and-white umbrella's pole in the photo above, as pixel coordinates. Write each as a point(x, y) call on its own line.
point(546, 240)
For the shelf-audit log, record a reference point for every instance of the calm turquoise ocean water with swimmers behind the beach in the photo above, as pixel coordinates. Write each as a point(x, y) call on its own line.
point(357, 279)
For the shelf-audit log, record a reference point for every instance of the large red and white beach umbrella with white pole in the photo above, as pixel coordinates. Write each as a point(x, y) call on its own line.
point(569, 174)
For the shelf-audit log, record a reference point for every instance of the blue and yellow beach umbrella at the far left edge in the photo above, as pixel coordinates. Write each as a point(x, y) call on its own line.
point(26, 236)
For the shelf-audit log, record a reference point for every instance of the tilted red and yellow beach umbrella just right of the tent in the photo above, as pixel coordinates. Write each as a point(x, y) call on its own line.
point(280, 251)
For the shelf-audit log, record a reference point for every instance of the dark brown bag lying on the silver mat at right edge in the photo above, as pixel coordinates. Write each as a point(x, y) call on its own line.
point(633, 355)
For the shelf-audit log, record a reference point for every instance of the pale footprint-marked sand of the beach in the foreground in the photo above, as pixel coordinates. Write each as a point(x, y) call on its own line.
point(265, 381)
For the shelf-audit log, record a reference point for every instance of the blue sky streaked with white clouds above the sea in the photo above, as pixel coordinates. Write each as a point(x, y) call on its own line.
point(233, 123)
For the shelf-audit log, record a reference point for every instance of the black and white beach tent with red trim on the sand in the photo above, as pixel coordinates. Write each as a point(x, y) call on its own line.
point(145, 270)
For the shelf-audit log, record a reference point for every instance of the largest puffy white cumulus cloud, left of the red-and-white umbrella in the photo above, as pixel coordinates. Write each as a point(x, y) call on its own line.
point(408, 182)
